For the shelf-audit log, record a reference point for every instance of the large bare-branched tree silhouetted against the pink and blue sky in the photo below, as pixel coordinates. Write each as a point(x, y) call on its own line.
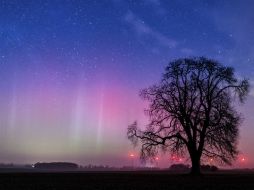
point(191, 112)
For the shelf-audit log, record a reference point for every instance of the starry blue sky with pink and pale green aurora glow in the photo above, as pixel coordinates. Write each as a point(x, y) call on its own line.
point(71, 70)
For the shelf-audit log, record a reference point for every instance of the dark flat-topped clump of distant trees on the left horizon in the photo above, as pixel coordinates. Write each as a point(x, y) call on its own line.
point(56, 165)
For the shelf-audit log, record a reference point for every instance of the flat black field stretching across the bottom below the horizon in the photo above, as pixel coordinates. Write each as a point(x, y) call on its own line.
point(124, 180)
